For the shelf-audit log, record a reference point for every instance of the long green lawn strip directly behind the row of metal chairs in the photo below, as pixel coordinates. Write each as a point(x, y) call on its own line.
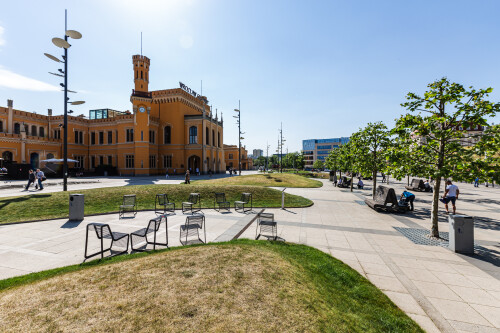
point(105, 200)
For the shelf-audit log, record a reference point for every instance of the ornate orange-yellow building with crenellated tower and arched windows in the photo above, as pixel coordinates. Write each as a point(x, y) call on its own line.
point(168, 130)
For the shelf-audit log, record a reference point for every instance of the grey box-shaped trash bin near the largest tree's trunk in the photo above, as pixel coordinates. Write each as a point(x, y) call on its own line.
point(461, 233)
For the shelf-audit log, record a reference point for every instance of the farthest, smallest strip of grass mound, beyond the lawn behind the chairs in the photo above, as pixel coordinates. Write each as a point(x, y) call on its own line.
point(268, 180)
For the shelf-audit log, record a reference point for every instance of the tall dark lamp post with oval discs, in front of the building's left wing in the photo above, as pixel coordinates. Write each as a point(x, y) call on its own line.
point(63, 43)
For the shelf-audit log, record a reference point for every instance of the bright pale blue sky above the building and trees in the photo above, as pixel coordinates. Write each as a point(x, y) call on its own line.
point(321, 68)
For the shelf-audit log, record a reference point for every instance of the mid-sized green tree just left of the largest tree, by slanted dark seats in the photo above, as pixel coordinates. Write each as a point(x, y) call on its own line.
point(370, 145)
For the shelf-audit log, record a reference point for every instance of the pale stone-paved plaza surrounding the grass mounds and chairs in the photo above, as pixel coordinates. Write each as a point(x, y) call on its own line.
point(441, 290)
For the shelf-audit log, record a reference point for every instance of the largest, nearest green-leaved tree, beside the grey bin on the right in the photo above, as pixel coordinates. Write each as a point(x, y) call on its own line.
point(433, 130)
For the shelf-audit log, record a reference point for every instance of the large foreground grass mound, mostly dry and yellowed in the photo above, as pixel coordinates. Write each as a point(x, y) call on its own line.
point(248, 286)
